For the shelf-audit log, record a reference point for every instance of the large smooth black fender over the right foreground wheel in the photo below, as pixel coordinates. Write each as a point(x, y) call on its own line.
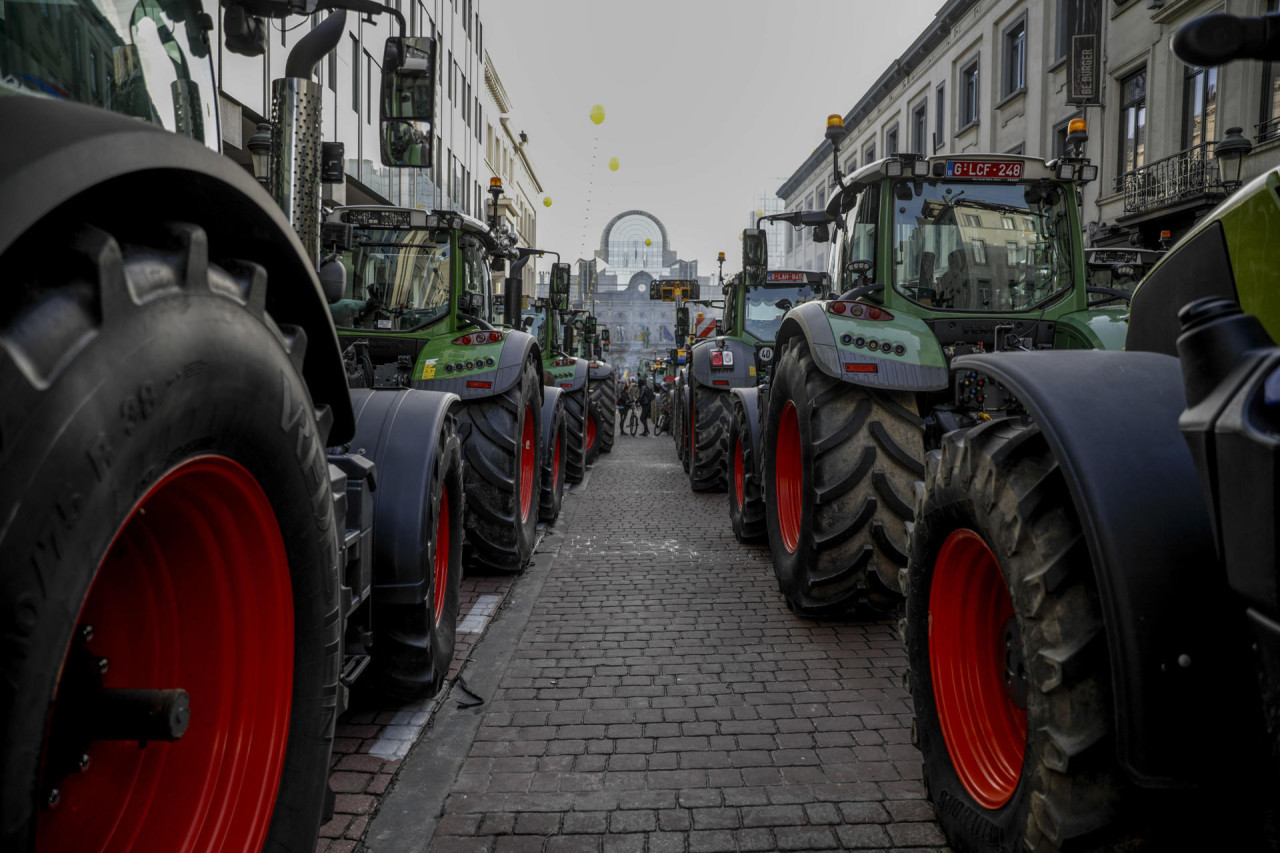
point(1112, 422)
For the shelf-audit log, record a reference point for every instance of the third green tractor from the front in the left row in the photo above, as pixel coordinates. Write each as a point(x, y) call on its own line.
point(565, 371)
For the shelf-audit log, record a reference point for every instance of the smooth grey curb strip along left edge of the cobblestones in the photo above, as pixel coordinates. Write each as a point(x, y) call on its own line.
point(412, 811)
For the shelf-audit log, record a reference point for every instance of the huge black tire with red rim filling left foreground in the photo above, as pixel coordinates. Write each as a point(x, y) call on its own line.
point(162, 536)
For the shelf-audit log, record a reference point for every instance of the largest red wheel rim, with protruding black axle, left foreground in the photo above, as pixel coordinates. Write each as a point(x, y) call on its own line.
point(194, 594)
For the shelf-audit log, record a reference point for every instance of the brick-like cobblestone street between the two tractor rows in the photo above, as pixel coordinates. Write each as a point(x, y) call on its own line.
point(661, 697)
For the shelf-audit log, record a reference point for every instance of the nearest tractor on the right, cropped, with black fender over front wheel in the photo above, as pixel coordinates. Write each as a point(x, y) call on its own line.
point(1092, 617)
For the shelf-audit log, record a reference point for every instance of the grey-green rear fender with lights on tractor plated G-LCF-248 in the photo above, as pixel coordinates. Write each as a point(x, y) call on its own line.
point(922, 370)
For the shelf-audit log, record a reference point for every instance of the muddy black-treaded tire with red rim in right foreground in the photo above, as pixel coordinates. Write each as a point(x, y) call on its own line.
point(1009, 669)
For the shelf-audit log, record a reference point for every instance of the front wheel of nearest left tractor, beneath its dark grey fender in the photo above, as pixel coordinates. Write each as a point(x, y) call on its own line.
point(414, 644)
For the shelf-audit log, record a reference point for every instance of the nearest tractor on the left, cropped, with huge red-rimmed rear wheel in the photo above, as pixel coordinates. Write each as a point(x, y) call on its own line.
point(194, 565)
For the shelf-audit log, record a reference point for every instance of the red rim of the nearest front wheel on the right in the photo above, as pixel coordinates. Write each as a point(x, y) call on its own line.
point(985, 732)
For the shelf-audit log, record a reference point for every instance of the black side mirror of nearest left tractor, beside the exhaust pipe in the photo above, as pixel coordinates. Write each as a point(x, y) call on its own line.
point(408, 102)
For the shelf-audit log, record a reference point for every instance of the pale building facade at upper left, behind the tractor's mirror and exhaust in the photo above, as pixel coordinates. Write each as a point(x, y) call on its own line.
point(458, 180)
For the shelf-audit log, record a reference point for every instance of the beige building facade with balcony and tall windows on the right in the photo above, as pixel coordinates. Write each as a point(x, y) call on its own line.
point(990, 76)
